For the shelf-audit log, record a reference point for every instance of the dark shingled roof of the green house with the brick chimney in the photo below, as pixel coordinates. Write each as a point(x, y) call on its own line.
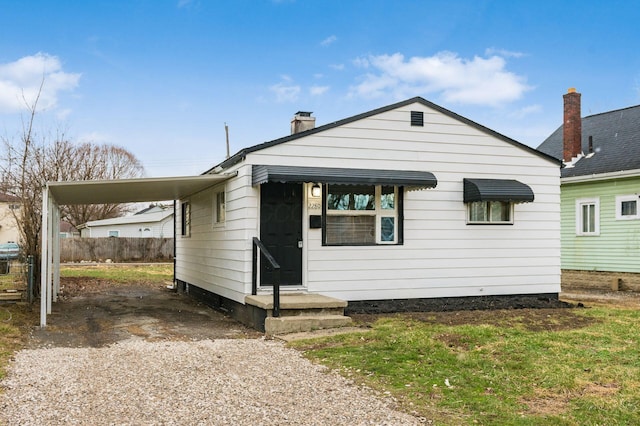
point(616, 143)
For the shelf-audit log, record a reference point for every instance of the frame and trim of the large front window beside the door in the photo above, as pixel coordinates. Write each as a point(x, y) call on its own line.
point(378, 213)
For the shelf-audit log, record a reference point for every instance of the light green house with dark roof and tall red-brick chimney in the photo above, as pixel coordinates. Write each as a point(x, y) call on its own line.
point(600, 188)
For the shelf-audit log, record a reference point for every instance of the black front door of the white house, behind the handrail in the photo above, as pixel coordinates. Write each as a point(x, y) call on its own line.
point(281, 231)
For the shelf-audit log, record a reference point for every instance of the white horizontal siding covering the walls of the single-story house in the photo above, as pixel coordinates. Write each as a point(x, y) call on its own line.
point(441, 256)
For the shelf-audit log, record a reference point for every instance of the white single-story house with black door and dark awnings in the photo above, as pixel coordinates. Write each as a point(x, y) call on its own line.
point(409, 201)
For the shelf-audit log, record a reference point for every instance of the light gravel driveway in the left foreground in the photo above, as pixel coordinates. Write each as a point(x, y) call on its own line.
point(188, 380)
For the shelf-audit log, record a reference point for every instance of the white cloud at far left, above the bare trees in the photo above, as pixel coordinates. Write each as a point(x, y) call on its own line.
point(20, 82)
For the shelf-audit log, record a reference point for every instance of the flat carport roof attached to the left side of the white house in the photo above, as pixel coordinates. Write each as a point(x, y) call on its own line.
point(131, 190)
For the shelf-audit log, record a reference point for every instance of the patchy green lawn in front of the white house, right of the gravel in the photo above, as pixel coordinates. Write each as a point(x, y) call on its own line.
point(505, 374)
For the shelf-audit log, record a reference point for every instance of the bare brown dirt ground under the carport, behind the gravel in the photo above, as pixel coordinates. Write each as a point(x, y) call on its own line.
point(97, 313)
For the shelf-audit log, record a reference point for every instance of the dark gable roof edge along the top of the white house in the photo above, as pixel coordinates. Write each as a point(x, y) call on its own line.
point(241, 155)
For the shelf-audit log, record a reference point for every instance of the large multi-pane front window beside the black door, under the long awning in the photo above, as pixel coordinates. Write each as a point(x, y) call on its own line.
point(361, 215)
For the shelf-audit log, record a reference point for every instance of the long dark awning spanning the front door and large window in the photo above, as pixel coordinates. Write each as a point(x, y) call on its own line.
point(337, 176)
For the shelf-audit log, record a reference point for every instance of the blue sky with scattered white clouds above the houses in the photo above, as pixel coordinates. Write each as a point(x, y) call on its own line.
point(162, 77)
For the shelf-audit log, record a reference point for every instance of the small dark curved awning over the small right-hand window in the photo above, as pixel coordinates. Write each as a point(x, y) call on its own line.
point(497, 190)
